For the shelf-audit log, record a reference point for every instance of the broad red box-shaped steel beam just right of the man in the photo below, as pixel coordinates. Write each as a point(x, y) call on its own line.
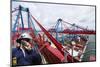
point(52, 55)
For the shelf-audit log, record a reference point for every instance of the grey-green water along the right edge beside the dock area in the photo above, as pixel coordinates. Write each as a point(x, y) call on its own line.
point(91, 48)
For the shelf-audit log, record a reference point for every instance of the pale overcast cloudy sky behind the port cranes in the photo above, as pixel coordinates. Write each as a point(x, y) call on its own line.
point(47, 14)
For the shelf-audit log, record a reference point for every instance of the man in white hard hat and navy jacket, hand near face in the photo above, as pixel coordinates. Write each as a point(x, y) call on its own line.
point(25, 54)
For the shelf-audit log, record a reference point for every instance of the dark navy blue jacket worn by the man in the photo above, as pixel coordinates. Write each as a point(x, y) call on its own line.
point(31, 57)
